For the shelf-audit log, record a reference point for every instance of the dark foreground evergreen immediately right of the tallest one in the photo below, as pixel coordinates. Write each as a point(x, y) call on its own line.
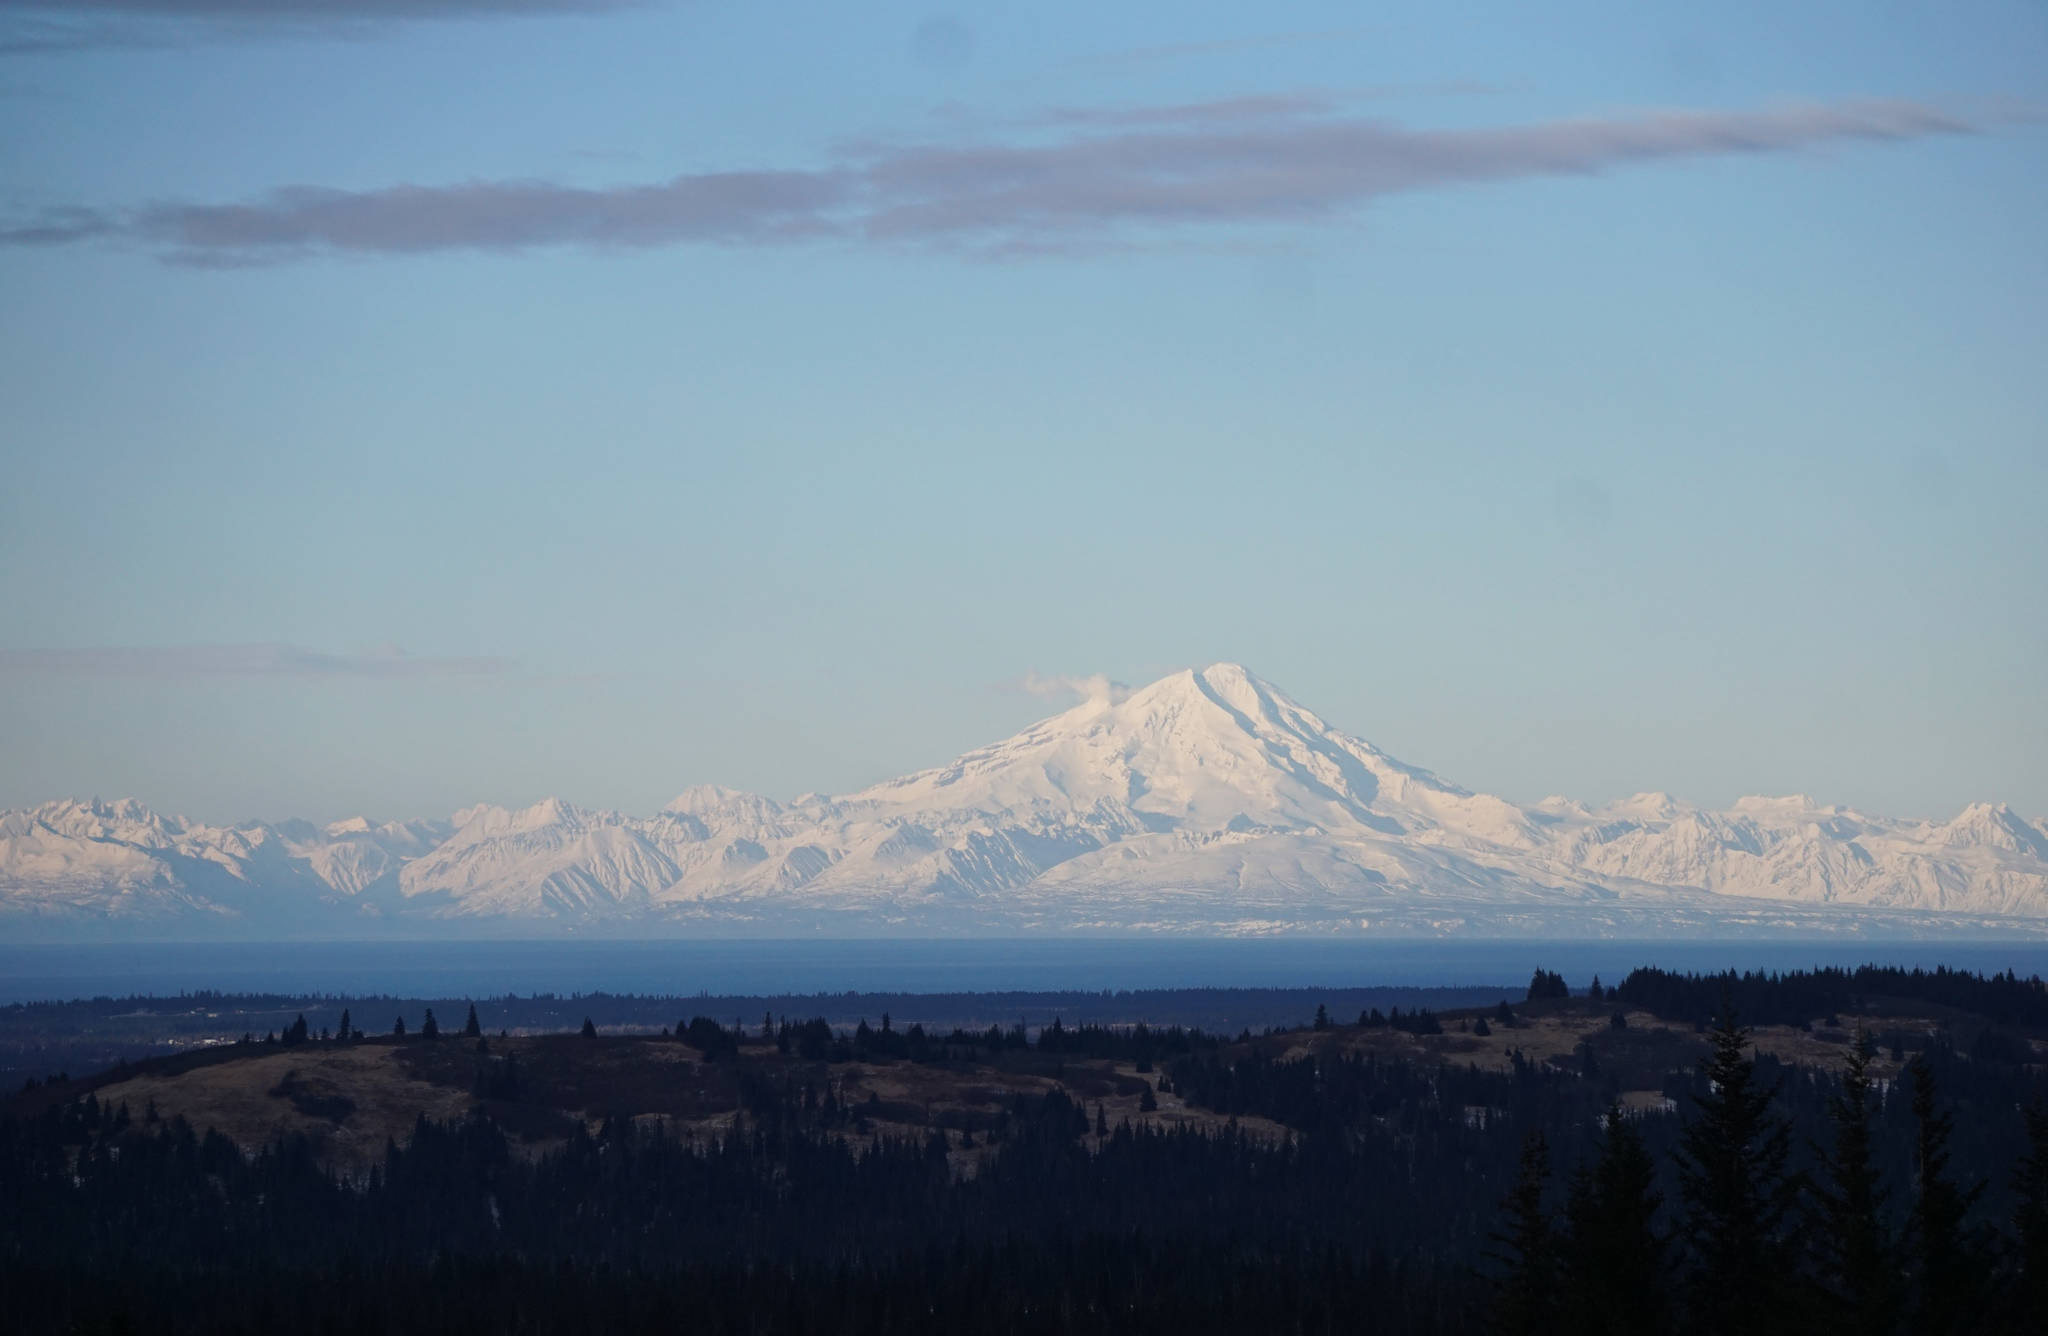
point(1852, 1247)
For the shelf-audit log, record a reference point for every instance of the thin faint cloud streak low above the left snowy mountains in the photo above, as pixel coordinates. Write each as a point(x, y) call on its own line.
point(269, 661)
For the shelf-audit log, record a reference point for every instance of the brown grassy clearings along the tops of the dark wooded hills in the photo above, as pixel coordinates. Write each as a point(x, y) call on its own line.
point(351, 1099)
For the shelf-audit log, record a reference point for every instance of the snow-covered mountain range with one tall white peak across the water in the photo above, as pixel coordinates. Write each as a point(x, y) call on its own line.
point(1203, 804)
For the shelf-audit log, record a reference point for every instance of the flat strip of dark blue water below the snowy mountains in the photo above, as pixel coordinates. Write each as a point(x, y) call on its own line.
point(472, 968)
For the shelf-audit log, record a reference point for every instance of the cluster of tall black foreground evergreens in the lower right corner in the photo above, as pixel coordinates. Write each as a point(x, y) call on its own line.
point(1762, 1245)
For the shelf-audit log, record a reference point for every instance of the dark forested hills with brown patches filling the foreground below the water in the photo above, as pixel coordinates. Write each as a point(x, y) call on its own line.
point(1547, 1163)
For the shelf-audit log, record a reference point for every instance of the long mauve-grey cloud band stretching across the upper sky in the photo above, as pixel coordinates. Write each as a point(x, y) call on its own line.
point(1129, 181)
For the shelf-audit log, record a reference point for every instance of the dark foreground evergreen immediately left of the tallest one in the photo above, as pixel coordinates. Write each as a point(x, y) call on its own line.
point(1615, 1259)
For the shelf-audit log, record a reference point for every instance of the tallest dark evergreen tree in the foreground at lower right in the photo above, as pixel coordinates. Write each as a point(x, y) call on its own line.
point(1738, 1194)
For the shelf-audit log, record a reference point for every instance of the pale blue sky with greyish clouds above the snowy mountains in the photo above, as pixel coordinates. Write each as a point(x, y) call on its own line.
point(480, 401)
